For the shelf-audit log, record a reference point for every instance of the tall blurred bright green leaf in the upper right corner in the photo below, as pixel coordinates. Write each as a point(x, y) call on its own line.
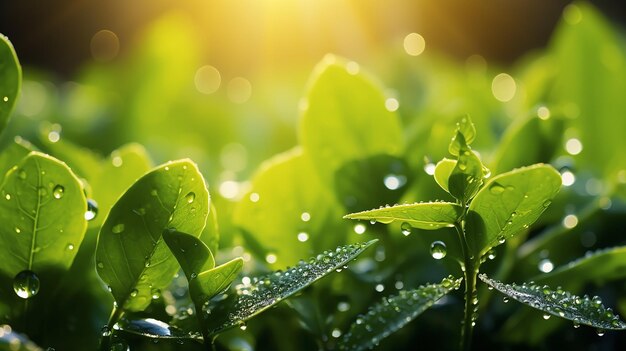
point(590, 66)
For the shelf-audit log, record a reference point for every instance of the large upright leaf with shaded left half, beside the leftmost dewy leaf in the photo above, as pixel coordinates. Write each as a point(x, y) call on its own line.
point(131, 257)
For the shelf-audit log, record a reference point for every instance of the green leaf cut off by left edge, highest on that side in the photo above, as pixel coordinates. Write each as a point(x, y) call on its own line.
point(10, 80)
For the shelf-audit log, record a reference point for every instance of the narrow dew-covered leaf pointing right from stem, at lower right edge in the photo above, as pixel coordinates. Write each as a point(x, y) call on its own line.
point(580, 310)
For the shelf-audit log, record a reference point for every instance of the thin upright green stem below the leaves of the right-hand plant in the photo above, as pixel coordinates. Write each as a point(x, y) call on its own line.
point(470, 272)
